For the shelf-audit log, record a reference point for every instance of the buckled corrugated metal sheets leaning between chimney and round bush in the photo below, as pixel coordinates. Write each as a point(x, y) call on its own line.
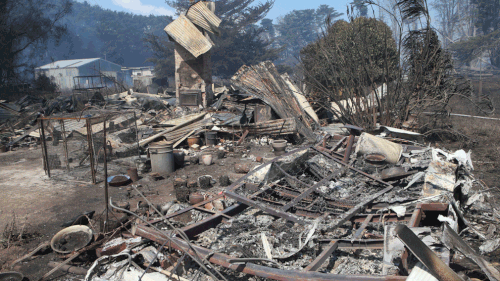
point(264, 82)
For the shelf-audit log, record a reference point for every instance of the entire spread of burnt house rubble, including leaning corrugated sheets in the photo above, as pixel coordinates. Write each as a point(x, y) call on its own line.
point(323, 205)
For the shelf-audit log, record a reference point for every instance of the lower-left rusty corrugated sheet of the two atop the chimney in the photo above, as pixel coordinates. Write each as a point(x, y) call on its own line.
point(184, 32)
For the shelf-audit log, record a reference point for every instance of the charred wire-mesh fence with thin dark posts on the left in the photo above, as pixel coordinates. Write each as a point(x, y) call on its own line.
point(73, 144)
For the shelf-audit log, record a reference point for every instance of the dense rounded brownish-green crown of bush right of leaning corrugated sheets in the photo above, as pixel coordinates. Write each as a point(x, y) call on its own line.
point(362, 49)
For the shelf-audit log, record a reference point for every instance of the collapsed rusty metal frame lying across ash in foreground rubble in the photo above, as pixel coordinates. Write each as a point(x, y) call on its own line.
point(309, 272)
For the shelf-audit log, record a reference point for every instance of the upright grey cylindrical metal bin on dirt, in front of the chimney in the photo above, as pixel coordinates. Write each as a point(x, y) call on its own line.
point(162, 158)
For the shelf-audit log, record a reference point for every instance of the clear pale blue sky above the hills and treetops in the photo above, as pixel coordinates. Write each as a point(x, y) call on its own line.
point(159, 7)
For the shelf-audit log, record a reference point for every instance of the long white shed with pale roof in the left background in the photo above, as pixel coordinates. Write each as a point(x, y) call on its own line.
point(81, 74)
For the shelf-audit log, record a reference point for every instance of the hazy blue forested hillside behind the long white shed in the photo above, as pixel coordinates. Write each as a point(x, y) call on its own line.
point(97, 32)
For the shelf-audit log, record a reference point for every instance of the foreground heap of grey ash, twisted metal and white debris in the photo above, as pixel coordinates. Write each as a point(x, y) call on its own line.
point(363, 206)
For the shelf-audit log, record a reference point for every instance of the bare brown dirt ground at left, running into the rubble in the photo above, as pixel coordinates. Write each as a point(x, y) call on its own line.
point(39, 205)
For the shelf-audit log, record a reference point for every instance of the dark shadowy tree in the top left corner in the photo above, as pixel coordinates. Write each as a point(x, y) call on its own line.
point(25, 28)
